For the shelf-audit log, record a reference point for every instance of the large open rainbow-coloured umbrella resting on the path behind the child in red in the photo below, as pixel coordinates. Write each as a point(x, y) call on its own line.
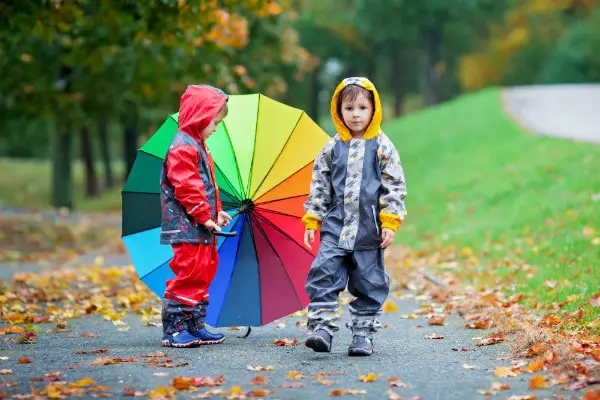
point(263, 152)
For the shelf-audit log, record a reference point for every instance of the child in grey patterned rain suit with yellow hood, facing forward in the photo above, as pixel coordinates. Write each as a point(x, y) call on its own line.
point(356, 199)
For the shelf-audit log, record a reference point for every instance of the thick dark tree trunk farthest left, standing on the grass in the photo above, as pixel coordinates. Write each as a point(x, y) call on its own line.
point(62, 177)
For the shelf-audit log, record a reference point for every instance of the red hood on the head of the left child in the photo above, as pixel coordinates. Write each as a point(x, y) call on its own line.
point(197, 107)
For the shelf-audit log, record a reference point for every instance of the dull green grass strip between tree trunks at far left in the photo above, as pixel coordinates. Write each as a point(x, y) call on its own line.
point(26, 184)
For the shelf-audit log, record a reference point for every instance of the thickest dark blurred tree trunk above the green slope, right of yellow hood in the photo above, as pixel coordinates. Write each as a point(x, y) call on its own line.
point(430, 57)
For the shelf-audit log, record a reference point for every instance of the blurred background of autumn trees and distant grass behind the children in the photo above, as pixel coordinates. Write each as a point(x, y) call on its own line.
point(84, 83)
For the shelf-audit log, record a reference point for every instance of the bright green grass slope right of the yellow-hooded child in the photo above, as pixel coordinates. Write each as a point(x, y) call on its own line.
point(476, 179)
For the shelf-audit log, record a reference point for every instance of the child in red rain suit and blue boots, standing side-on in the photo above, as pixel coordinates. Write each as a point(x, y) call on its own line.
point(191, 211)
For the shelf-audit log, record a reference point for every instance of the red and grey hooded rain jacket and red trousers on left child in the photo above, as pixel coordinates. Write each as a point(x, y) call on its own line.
point(191, 204)
